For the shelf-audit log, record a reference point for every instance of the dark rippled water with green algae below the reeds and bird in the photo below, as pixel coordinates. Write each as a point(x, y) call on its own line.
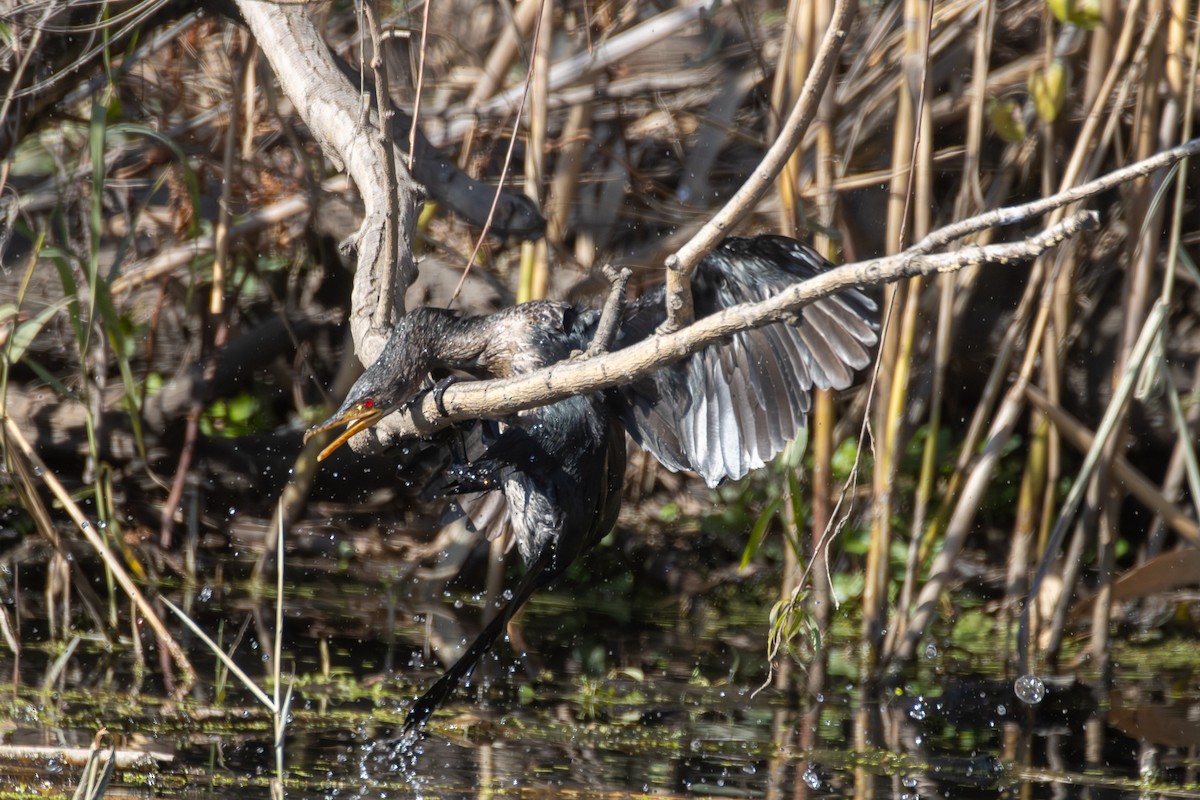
point(616, 699)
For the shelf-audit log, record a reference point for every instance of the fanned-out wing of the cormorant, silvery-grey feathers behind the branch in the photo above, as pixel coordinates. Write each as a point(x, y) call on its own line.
point(731, 408)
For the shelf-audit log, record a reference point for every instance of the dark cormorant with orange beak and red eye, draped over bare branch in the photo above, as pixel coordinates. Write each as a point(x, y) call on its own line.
point(722, 412)
